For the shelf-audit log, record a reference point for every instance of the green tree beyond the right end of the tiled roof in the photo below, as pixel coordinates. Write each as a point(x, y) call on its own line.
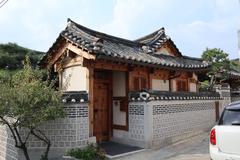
point(221, 66)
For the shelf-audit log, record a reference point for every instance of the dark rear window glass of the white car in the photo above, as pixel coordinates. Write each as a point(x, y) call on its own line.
point(230, 117)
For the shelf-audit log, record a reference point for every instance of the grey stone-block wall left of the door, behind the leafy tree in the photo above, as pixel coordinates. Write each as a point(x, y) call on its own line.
point(64, 133)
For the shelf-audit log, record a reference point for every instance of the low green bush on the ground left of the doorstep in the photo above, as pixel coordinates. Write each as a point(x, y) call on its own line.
point(88, 153)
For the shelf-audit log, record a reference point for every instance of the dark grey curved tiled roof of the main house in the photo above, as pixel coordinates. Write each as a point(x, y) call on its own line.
point(141, 51)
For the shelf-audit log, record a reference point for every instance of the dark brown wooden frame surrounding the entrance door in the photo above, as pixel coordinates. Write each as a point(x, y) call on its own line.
point(108, 81)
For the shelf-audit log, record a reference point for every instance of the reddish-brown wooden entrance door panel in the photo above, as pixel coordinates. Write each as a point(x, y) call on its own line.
point(101, 111)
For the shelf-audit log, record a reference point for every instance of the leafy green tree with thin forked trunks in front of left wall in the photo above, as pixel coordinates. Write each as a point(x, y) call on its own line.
point(26, 102)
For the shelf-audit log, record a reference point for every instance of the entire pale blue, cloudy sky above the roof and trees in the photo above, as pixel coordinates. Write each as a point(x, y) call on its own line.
point(192, 24)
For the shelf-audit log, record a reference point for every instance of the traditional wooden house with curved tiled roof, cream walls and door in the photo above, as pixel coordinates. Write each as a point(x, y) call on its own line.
point(108, 68)
